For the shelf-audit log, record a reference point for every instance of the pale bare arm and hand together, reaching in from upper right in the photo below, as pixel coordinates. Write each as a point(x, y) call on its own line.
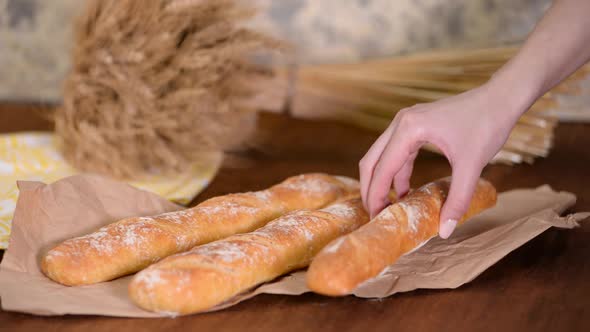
point(471, 128)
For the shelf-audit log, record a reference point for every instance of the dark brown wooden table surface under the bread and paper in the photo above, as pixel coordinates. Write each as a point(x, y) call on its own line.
point(543, 286)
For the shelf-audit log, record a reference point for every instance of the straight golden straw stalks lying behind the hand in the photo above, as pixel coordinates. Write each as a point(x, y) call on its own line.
point(368, 94)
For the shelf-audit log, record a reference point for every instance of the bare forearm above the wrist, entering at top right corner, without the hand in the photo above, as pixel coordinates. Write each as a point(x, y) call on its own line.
point(557, 47)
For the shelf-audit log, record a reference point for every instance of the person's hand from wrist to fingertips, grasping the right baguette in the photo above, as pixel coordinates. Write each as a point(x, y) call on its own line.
point(469, 129)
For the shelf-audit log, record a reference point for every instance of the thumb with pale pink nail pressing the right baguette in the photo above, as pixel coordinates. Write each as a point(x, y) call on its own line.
point(463, 182)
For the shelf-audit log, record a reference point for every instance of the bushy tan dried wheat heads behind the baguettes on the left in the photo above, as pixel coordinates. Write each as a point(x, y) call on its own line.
point(154, 85)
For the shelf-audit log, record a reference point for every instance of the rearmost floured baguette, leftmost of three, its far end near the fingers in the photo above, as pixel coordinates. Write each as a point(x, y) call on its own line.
point(132, 244)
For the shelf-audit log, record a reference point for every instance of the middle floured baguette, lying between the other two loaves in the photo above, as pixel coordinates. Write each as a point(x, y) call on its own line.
point(211, 274)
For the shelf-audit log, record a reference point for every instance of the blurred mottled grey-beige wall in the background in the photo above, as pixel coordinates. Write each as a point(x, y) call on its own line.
point(35, 35)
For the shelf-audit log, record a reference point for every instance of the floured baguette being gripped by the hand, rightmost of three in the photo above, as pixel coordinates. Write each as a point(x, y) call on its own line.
point(401, 227)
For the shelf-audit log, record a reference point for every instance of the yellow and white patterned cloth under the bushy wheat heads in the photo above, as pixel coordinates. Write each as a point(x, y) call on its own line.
point(32, 156)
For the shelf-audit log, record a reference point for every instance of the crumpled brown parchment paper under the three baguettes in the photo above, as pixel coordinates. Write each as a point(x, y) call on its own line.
point(48, 214)
